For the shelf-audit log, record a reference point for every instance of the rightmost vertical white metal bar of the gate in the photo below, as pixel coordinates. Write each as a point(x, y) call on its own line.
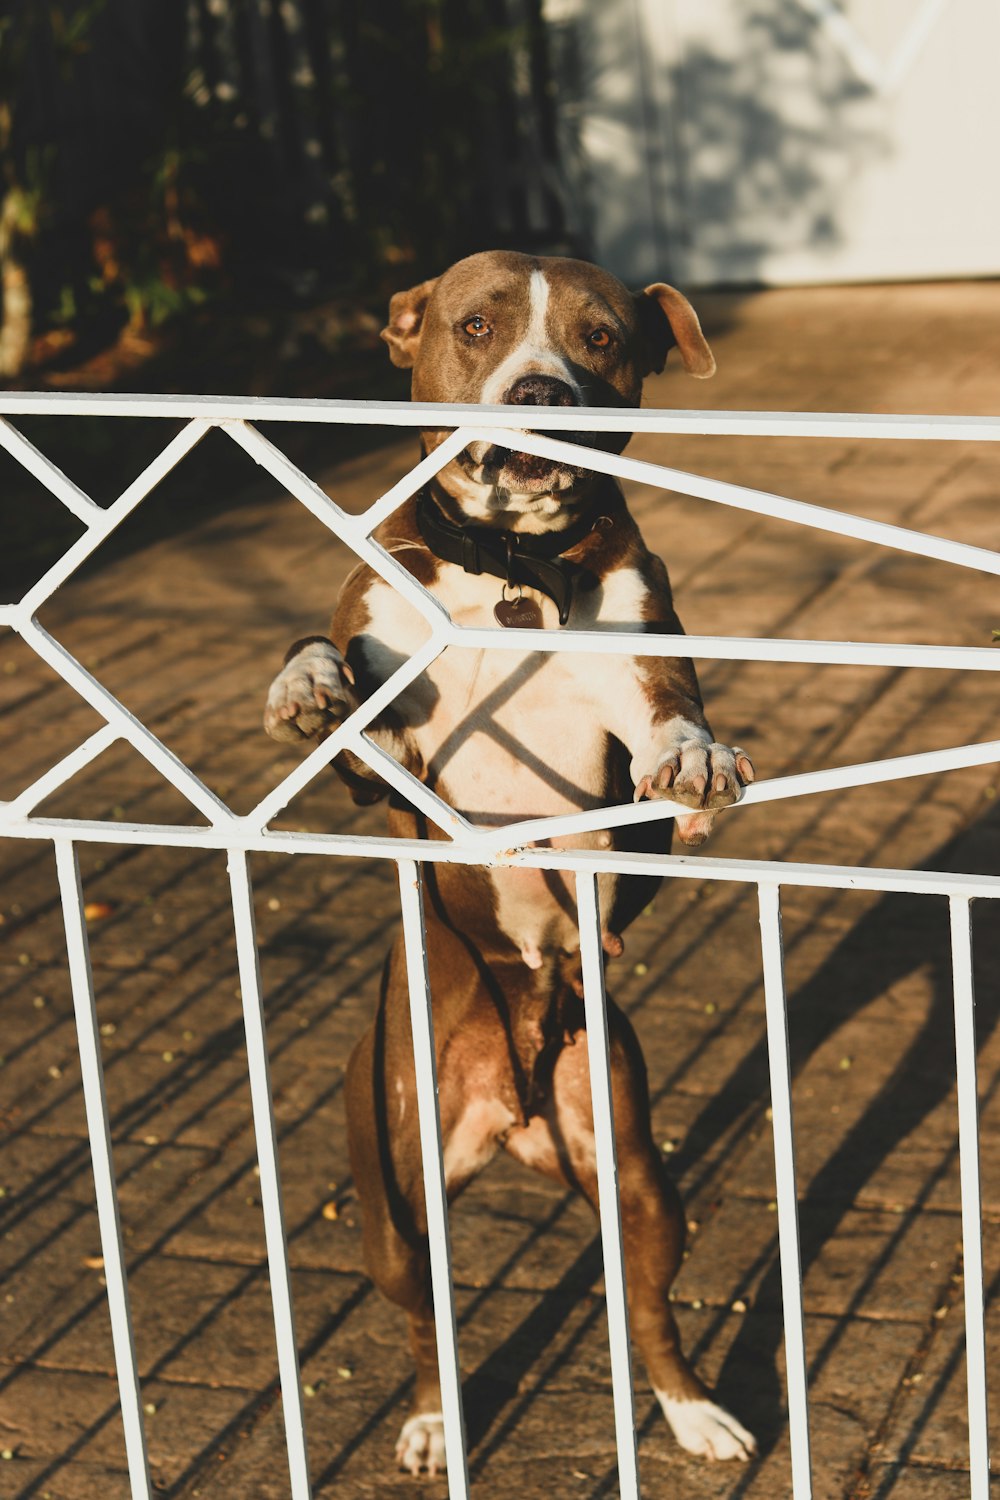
point(972, 1207)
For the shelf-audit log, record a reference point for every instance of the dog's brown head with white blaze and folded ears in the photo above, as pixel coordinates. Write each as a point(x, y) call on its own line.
point(534, 332)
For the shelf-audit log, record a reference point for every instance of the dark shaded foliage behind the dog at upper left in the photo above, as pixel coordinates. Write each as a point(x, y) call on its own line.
point(158, 154)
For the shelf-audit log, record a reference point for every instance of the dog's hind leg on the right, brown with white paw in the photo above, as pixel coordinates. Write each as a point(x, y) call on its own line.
point(560, 1144)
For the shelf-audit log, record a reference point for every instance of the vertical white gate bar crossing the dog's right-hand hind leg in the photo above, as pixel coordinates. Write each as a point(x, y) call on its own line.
point(611, 1207)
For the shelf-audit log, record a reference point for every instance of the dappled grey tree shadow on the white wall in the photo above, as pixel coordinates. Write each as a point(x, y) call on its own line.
point(740, 154)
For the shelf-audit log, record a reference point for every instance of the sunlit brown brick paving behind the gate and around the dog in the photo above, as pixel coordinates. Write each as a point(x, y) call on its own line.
point(188, 631)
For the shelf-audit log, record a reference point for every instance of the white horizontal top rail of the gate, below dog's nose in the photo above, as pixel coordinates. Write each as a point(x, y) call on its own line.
point(543, 419)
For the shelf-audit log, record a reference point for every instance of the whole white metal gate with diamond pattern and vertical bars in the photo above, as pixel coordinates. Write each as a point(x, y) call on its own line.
point(506, 847)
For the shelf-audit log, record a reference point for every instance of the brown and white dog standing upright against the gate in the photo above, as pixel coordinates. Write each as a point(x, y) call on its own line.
point(504, 736)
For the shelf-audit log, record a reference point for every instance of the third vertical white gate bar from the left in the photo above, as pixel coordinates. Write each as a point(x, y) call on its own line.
point(436, 1192)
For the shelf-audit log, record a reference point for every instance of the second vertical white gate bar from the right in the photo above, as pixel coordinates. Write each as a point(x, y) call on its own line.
point(777, 1016)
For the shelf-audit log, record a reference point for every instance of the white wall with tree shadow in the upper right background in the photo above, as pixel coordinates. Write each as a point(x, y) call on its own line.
point(783, 140)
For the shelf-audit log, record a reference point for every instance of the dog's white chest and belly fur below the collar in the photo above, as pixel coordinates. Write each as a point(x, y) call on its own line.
point(506, 736)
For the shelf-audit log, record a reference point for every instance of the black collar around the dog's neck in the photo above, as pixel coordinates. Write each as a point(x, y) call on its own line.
point(531, 560)
